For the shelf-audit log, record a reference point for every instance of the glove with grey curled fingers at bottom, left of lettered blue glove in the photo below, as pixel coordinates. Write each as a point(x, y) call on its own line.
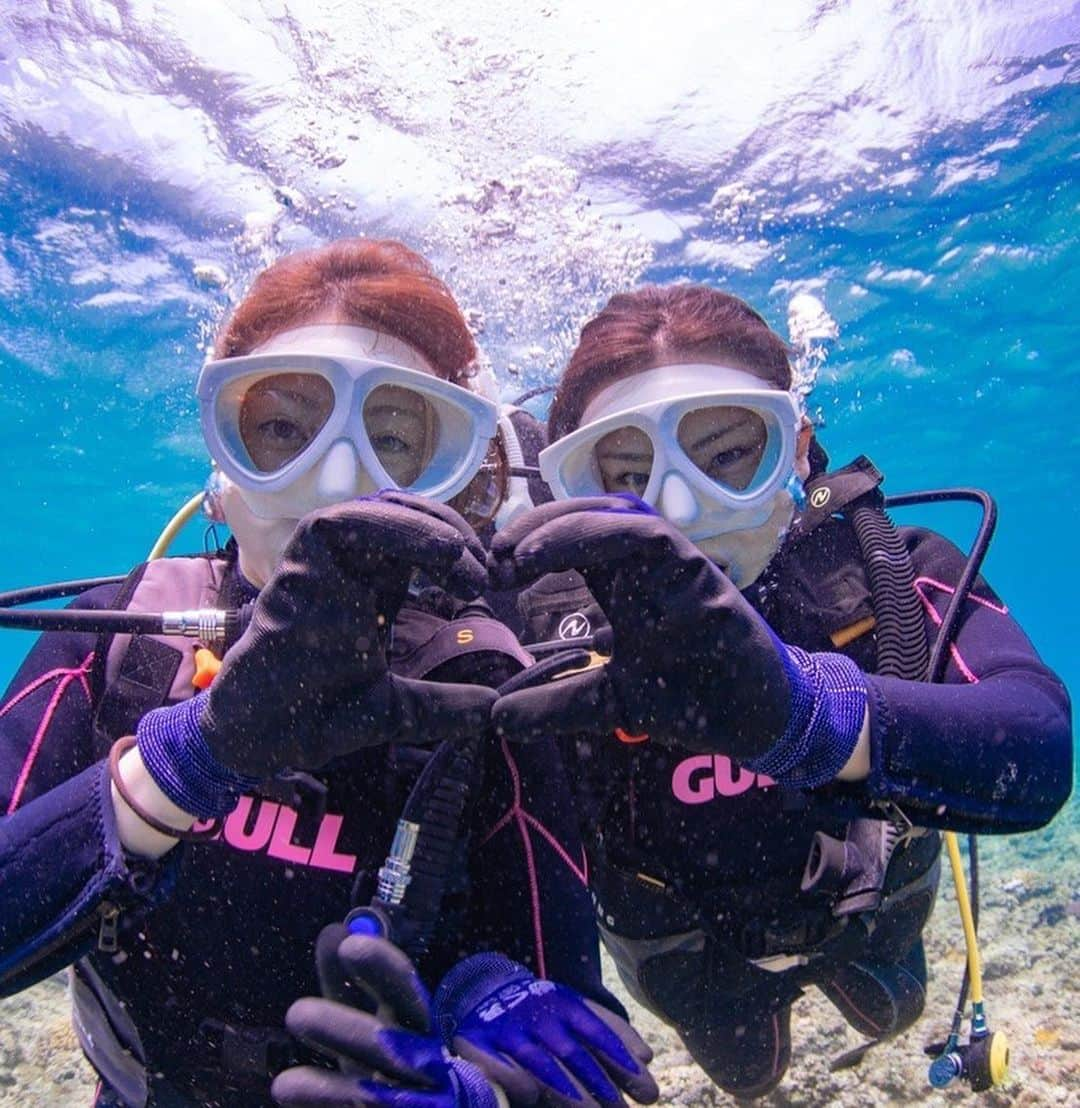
point(375, 1021)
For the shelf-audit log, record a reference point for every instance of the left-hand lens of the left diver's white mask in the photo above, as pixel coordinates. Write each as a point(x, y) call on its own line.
point(281, 415)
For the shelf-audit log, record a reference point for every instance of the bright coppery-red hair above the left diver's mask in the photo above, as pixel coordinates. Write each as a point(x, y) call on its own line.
point(373, 283)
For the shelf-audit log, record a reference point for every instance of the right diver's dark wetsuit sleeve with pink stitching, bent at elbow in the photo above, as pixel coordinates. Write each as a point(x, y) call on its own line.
point(991, 748)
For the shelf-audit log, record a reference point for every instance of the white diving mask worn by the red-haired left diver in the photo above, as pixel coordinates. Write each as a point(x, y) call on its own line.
point(326, 412)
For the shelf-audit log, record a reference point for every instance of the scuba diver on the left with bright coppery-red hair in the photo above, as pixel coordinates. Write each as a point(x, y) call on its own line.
point(182, 818)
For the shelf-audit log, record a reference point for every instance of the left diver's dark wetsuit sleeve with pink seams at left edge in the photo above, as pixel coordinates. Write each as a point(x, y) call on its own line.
point(63, 868)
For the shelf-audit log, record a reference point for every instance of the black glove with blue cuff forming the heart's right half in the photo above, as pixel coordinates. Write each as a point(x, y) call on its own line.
point(692, 662)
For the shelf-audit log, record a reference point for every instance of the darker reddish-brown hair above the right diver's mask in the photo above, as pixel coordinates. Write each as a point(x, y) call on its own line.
point(634, 330)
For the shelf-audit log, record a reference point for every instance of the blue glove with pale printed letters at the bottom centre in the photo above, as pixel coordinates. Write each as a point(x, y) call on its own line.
point(534, 1038)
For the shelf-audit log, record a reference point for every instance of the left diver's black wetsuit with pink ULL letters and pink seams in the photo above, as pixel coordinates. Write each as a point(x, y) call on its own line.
point(215, 940)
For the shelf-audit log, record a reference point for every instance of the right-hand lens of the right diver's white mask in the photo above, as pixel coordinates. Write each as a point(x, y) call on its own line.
point(728, 445)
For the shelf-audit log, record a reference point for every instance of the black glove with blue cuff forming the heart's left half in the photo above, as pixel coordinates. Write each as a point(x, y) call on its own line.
point(308, 681)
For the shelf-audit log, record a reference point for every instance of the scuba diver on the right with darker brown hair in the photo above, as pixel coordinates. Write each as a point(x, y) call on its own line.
point(762, 766)
